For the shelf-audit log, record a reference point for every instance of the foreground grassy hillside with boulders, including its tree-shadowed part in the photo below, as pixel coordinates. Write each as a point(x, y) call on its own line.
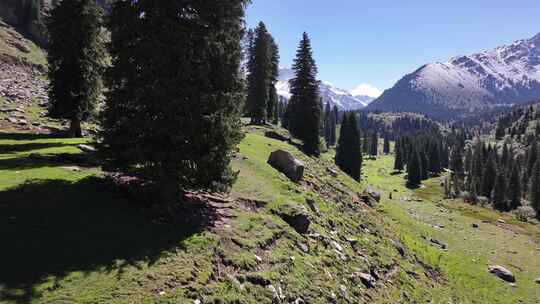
point(73, 238)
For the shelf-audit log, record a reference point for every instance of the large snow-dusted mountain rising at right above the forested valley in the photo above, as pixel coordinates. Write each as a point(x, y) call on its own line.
point(504, 76)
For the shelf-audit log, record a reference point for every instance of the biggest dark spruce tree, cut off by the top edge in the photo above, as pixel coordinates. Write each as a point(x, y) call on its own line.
point(175, 129)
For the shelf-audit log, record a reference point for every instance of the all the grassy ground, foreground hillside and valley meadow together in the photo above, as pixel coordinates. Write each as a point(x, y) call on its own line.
point(70, 236)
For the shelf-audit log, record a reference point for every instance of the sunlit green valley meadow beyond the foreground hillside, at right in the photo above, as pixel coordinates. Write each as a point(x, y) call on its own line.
point(471, 250)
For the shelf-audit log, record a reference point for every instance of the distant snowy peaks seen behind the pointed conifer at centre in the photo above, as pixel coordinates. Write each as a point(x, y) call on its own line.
point(344, 100)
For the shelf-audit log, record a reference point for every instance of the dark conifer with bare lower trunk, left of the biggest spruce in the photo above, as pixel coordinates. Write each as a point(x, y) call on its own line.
point(76, 57)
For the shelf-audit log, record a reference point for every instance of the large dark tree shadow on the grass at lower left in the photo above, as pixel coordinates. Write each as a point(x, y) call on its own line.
point(50, 228)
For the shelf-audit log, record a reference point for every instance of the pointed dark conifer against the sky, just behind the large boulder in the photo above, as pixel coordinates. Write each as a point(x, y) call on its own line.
point(304, 103)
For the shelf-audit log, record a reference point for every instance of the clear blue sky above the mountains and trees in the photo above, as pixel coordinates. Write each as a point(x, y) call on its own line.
point(366, 46)
